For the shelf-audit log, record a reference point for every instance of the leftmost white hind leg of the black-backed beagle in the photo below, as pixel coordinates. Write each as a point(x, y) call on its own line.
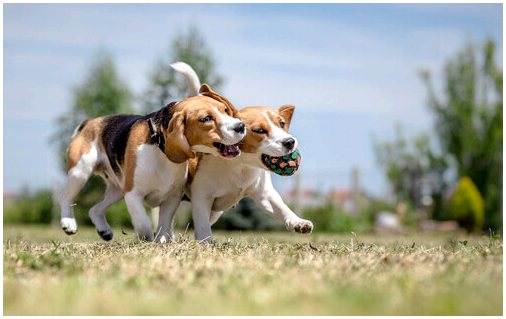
point(77, 176)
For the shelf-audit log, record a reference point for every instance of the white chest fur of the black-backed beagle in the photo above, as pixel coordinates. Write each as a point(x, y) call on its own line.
point(155, 176)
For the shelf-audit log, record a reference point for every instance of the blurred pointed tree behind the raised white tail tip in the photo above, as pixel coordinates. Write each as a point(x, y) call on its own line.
point(165, 85)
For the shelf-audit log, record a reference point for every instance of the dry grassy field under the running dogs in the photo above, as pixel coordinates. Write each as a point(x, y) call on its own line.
point(48, 273)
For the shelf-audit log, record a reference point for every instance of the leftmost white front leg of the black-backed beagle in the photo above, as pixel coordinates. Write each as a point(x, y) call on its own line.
point(140, 220)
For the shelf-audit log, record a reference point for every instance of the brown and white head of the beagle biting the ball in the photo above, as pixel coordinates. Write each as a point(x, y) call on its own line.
point(267, 130)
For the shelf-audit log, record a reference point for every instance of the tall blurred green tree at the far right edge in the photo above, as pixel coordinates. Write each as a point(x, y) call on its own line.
point(469, 122)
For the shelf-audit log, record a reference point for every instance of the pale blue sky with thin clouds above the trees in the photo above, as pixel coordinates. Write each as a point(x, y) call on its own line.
point(352, 71)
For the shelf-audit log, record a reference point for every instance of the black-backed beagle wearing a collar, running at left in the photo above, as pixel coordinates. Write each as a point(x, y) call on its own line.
point(144, 159)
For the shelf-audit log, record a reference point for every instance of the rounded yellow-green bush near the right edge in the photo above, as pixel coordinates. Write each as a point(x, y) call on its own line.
point(467, 206)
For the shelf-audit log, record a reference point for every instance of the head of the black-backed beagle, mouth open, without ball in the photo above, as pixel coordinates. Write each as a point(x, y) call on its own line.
point(203, 123)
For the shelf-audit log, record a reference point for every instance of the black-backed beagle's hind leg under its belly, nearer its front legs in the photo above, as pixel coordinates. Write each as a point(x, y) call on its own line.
point(97, 213)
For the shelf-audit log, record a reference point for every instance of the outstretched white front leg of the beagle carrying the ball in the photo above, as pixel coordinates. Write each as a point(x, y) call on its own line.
point(269, 199)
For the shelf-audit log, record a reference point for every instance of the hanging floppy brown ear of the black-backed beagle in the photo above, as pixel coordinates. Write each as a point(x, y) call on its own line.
point(177, 148)
